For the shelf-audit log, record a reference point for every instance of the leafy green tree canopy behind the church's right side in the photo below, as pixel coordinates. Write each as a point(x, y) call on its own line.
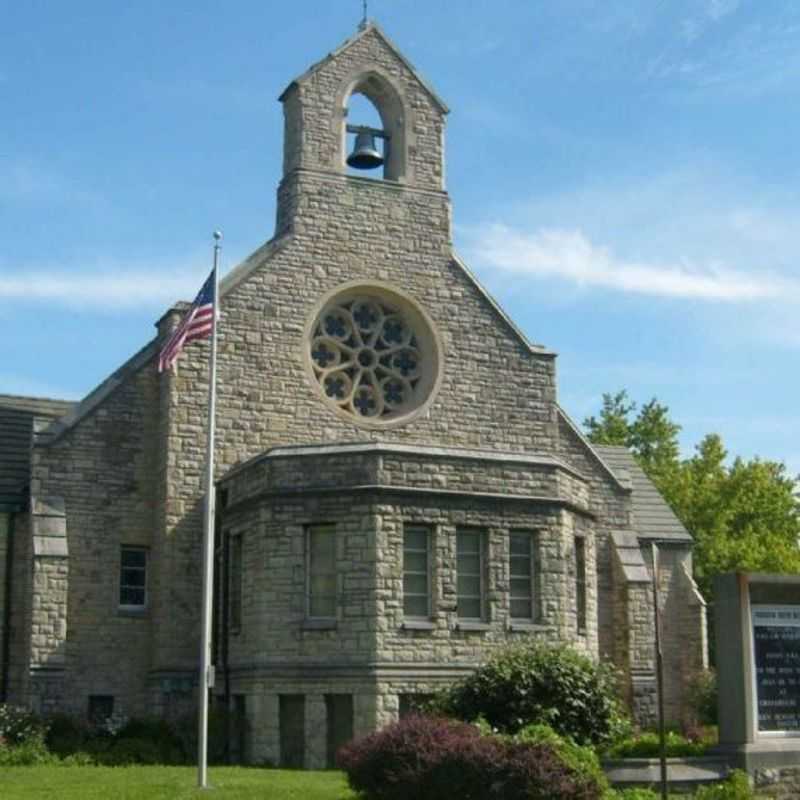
point(743, 515)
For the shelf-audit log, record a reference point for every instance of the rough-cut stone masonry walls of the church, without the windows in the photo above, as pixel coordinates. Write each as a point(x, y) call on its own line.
point(492, 450)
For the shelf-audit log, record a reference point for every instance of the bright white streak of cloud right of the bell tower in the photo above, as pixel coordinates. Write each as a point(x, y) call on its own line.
point(568, 254)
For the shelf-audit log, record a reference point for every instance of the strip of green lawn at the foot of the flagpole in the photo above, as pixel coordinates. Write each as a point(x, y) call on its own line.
point(175, 783)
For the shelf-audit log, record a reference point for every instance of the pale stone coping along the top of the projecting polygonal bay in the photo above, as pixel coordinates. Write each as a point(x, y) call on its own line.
point(301, 450)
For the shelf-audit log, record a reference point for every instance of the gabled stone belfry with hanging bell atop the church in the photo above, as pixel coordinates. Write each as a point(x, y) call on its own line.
point(406, 151)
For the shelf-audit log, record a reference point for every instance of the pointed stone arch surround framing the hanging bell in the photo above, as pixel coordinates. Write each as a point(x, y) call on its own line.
point(387, 99)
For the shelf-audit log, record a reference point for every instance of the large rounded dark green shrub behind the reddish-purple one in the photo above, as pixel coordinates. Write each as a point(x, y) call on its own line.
point(527, 684)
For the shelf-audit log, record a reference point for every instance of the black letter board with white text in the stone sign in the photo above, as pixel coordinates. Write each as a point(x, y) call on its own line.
point(776, 660)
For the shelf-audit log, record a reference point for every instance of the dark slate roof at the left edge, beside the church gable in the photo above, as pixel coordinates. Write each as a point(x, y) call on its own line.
point(16, 425)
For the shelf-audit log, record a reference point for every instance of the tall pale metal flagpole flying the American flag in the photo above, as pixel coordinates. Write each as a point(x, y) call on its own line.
point(206, 669)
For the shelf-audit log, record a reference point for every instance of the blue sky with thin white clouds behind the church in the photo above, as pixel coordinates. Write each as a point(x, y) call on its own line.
point(624, 177)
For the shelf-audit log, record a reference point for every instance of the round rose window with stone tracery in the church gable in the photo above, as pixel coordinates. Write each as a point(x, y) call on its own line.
point(373, 354)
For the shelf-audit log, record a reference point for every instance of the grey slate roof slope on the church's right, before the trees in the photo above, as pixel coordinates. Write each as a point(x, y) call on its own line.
point(652, 516)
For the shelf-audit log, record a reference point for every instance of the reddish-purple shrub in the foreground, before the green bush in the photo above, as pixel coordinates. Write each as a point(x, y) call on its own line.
point(429, 758)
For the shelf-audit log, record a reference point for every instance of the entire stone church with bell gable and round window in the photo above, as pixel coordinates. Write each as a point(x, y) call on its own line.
point(399, 493)
